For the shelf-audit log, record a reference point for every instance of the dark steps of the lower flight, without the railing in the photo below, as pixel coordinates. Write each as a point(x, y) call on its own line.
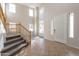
point(13, 45)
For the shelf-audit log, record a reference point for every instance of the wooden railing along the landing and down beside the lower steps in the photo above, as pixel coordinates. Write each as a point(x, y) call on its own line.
point(20, 29)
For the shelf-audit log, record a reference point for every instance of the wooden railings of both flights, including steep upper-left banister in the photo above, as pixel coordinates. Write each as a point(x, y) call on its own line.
point(19, 27)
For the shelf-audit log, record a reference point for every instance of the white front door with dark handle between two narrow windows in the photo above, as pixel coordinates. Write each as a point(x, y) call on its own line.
point(60, 28)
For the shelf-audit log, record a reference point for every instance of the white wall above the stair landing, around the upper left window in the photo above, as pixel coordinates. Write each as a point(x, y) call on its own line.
point(21, 15)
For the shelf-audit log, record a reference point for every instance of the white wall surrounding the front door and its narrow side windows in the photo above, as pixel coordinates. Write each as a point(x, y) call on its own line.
point(54, 10)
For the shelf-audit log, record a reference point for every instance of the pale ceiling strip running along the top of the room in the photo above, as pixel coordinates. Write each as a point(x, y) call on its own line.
point(33, 5)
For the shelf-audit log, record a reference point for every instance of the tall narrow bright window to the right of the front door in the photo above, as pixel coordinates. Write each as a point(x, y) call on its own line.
point(71, 25)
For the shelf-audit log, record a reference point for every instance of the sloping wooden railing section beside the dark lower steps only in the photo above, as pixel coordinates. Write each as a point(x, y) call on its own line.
point(24, 32)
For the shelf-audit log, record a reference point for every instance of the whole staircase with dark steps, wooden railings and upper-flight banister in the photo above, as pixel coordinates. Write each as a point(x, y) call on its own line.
point(13, 42)
